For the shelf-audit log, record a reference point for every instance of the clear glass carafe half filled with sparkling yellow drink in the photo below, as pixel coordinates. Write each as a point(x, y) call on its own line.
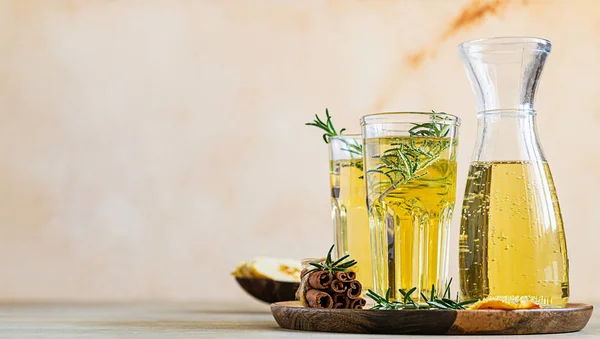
point(512, 242)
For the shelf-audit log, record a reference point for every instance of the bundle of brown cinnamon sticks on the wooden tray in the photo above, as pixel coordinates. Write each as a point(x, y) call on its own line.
point(323, 289)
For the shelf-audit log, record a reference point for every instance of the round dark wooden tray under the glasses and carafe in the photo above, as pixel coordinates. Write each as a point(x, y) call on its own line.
point(292, 315)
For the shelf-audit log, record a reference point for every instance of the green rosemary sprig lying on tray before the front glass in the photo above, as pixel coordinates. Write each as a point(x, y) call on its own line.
point(408, 303)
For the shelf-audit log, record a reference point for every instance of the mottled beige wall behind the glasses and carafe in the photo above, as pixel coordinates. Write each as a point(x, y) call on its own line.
point(147, 146)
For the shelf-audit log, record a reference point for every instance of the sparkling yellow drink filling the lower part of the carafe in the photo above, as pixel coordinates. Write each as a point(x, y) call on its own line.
point(512, 241)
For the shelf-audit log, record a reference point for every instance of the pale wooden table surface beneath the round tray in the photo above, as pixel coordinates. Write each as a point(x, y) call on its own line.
point(170, 320)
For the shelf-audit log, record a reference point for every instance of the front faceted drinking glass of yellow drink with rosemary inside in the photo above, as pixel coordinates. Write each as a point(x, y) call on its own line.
point(410, 171)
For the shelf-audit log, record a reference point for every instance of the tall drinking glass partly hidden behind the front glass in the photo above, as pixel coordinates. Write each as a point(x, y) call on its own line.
point(348, 207)
